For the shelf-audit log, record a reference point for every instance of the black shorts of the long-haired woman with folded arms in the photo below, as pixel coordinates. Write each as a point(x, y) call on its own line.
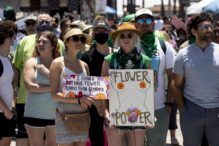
point(36, 122)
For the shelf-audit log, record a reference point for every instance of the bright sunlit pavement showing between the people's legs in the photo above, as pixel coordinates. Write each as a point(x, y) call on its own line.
point(178, 135)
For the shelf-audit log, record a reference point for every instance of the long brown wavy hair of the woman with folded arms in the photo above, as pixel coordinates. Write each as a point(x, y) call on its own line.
point(54, 41)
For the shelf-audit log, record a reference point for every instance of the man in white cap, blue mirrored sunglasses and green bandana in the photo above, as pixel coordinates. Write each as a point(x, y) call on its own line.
point(162, 60)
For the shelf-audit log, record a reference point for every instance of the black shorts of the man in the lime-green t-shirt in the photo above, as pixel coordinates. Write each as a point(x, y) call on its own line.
point(21, 131)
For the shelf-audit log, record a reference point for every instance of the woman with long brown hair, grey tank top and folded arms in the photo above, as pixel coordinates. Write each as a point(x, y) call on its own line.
point(40, 109)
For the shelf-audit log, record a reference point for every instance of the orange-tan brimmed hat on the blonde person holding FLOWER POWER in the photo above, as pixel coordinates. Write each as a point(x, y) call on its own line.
point(126, 26)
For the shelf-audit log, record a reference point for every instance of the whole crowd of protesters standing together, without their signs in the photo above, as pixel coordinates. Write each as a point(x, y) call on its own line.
point(35, 63)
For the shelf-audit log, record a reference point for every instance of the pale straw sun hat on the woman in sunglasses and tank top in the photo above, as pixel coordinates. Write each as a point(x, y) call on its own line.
point(76, 31)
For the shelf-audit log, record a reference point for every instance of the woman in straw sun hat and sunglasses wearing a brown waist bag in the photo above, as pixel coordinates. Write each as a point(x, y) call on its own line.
point(62, 68)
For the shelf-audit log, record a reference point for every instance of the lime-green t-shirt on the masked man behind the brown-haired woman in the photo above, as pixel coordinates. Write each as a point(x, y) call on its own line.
point(23, 52)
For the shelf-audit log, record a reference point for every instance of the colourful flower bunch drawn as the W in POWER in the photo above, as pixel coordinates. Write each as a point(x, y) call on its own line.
point(133, 114)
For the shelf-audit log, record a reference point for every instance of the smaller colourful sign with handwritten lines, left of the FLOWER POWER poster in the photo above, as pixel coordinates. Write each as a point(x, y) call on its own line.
point(75, 86)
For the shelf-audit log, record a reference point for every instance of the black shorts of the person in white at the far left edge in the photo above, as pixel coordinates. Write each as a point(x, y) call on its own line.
point(7, 127)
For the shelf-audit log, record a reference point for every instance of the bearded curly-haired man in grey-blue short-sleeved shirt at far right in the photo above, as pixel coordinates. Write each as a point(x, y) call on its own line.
point(195, 66)
